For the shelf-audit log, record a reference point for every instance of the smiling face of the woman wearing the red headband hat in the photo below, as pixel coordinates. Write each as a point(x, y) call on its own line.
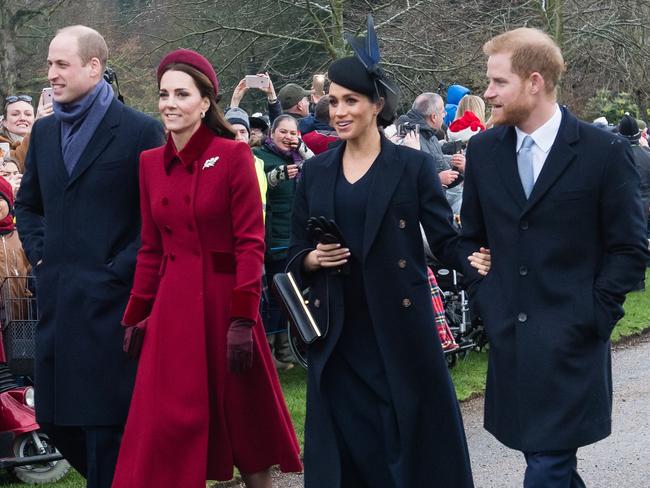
point(180, 103)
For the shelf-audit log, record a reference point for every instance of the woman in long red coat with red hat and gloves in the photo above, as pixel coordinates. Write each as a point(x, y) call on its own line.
point(207, 396)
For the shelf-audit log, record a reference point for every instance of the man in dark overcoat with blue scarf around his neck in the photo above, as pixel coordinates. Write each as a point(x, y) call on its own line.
point(78, 217)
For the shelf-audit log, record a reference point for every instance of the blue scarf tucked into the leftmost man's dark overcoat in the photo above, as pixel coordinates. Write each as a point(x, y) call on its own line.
point(79, 121)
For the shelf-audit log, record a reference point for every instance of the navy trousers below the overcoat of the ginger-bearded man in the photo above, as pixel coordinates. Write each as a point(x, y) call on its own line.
point(552, 469)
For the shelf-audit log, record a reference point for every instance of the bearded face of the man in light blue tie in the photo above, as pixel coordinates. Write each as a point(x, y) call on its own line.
point(507, 93)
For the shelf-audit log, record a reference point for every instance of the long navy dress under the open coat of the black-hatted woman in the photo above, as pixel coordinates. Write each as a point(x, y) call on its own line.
point(364, 418)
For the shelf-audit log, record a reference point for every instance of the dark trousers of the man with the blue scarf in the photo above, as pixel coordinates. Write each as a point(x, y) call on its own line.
point(92, 451)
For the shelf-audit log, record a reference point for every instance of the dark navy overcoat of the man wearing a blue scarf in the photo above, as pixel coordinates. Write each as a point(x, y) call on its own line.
point(85, 228)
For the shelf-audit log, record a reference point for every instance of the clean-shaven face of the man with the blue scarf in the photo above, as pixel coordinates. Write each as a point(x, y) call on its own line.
point(69, 77)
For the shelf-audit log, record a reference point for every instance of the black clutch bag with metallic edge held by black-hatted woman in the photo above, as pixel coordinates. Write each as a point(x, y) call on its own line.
point(295, 307)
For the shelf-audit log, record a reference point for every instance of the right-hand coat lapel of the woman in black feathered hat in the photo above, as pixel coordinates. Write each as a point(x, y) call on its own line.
point(385, 181)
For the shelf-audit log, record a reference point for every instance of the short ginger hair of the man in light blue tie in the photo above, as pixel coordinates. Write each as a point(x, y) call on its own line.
point(531, 50)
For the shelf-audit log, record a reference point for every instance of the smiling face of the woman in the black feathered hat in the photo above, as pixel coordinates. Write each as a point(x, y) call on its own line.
point(352, 114)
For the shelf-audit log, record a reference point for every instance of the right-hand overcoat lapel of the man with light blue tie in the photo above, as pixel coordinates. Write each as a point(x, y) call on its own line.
point(559, 157)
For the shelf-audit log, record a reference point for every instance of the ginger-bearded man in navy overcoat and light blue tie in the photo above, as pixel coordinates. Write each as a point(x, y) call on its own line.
point(557, 201)
